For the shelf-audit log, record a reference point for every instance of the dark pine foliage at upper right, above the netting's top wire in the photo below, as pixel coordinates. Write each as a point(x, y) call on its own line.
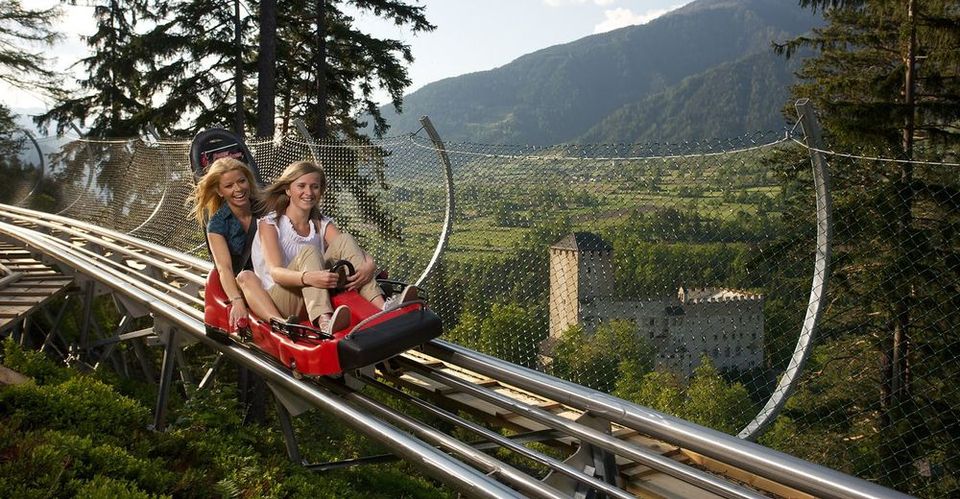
point(857, 79)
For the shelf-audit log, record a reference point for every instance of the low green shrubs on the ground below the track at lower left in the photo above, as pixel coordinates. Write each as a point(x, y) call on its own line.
point(79, 438)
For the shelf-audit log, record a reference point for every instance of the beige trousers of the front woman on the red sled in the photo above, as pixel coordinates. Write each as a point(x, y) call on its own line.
point(292, 300)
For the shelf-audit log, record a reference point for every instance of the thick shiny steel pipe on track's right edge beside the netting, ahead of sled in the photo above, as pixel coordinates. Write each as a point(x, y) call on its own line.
point(767, 463)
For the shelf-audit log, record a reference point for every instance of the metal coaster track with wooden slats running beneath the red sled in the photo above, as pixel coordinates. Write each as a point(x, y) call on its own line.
point(612, 447)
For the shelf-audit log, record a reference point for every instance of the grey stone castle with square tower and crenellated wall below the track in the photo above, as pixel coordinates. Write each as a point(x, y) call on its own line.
point(724, 324)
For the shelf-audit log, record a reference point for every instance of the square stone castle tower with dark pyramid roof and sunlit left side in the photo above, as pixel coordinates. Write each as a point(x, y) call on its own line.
point(581, 271)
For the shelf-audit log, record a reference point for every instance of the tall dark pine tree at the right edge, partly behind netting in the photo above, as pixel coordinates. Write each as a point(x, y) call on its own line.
point(887, 81)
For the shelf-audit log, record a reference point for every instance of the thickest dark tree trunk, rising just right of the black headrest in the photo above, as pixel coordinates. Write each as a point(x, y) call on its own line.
point(267, 69)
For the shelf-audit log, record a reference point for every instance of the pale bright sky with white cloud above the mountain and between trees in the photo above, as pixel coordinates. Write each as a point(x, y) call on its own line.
point(471, 35)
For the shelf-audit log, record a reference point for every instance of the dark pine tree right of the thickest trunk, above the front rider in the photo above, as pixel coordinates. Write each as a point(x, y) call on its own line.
point(328, 69)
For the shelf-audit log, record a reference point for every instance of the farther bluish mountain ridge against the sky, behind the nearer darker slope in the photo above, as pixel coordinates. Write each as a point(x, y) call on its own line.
point(561, 93)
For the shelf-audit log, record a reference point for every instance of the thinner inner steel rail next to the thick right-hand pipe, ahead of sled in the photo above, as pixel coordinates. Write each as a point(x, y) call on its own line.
point(640, 455)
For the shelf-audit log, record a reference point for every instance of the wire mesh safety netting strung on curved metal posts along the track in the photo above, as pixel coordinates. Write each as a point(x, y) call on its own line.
point(674, 276)
